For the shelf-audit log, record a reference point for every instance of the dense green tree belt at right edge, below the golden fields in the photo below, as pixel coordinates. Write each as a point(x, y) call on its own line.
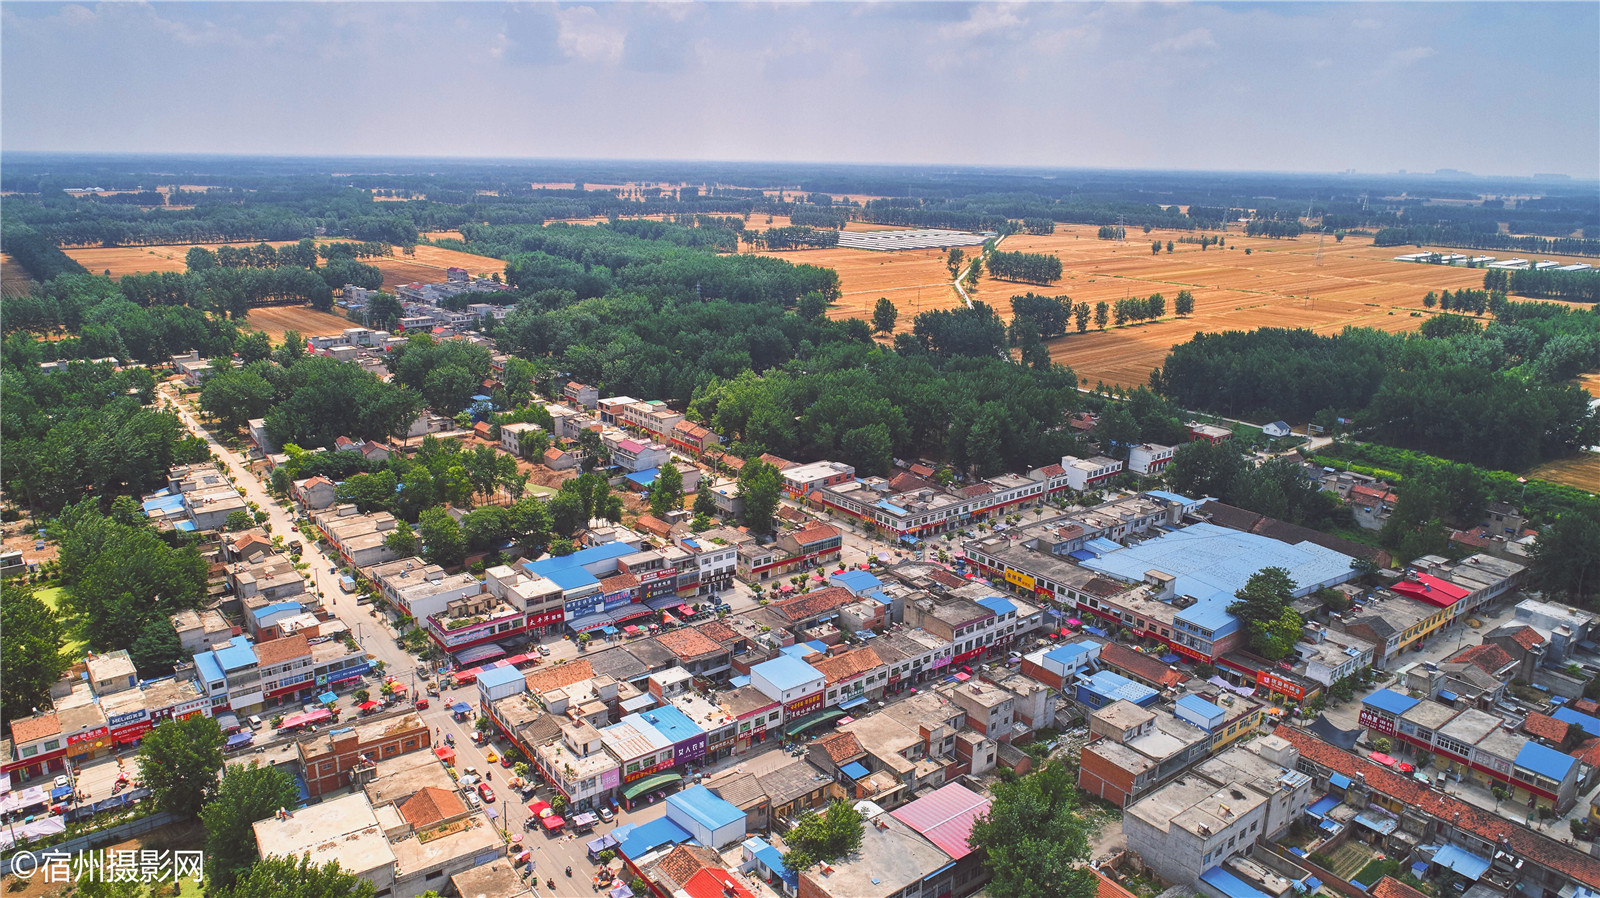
point(1495, 398)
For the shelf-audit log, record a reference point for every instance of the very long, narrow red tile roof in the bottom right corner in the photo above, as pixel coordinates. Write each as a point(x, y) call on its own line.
point(1486, 825)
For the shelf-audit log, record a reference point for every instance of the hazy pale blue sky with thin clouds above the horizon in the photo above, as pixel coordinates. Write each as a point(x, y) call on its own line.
point(1492, 89)
